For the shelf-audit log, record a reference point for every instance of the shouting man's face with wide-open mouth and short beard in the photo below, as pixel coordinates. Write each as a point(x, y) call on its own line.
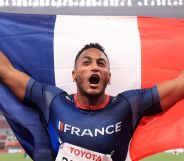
point(92, 72)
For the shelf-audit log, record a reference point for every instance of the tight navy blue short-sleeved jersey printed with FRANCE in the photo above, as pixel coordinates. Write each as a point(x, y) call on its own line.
point(107, 131)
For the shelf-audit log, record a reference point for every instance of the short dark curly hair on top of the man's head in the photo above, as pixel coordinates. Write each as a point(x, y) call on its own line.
point(89, 46)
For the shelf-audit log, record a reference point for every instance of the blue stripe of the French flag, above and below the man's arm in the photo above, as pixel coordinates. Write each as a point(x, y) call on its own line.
point(28, 42)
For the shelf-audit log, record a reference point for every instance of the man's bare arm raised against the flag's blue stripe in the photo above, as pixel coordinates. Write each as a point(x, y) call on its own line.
point(14, 79)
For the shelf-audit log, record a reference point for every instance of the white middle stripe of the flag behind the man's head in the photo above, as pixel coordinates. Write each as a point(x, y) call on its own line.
point(120, 38)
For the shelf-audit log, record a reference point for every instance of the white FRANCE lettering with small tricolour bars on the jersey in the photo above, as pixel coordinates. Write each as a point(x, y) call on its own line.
point(106, 130)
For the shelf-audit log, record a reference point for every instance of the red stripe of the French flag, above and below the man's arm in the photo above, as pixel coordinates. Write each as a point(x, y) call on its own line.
point(162, 49)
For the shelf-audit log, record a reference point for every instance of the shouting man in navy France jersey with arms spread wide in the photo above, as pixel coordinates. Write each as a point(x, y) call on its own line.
point(91, 125)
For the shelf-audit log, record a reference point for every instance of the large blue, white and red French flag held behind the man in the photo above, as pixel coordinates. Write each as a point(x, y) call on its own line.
point(142, 51)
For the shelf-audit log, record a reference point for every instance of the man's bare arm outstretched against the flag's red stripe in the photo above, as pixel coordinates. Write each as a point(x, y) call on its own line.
point(171, 92)
